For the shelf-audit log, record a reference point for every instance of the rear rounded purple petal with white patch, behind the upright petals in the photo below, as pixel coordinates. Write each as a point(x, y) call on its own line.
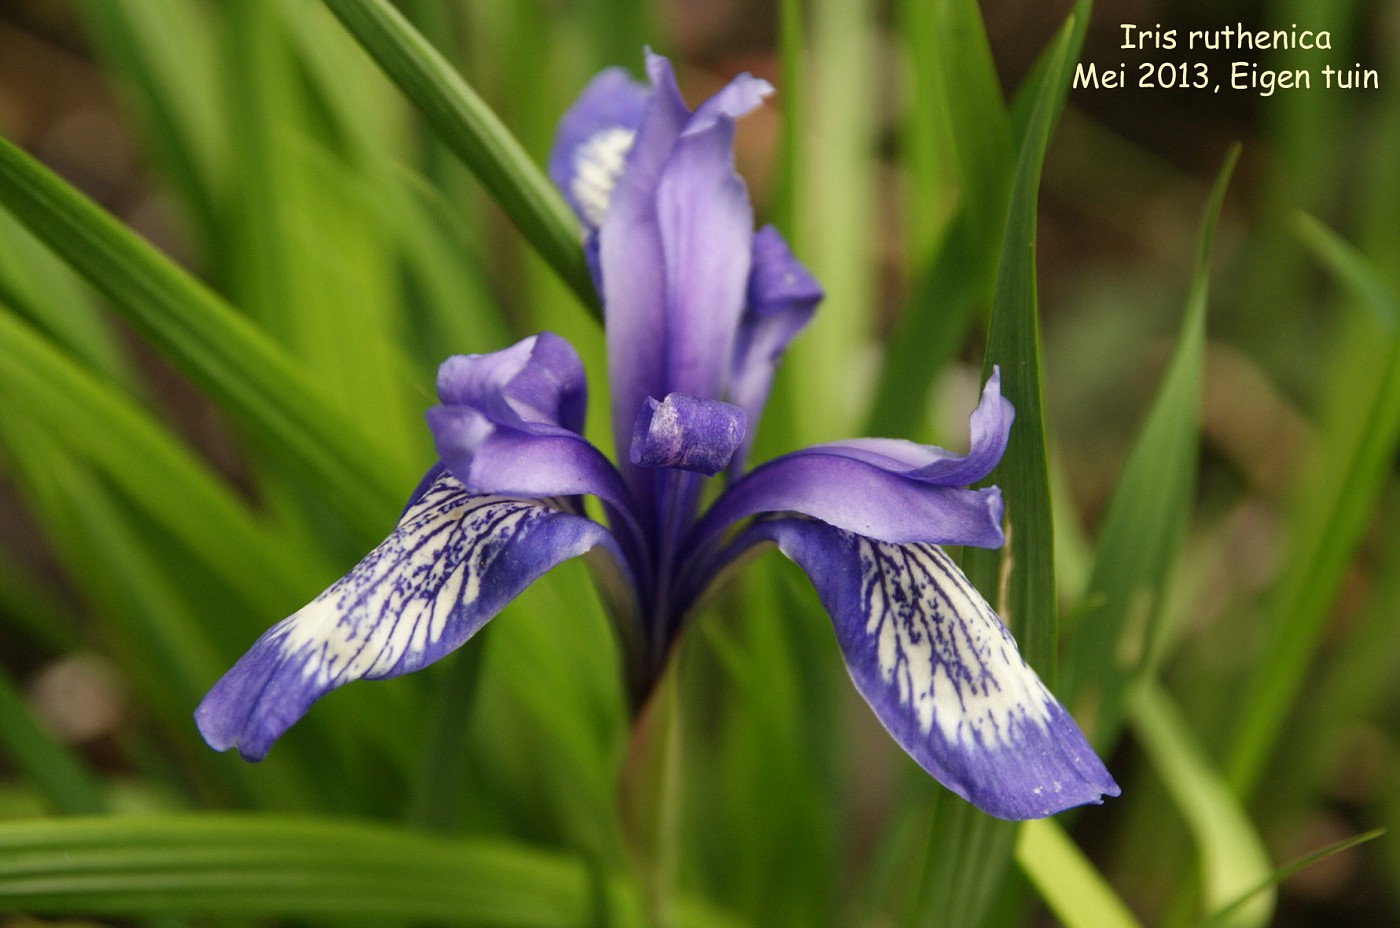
point(593, 141)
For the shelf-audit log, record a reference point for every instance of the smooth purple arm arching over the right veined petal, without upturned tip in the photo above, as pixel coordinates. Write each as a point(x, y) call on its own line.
point(859, 496)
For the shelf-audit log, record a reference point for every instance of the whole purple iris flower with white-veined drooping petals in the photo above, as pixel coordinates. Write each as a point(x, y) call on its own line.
point(699, 309)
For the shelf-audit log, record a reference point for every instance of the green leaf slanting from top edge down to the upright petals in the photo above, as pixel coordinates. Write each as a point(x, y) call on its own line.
point(464, 122)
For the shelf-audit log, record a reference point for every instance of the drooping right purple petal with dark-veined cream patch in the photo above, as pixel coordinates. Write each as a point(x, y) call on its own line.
point(944, 675)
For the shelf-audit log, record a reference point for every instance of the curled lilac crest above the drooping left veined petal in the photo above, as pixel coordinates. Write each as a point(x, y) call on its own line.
point(535, 381)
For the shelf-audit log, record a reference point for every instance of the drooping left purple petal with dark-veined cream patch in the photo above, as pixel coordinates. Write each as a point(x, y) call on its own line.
point(453, 562)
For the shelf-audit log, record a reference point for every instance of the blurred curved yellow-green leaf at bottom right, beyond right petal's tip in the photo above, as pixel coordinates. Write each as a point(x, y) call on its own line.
point(1234, 863)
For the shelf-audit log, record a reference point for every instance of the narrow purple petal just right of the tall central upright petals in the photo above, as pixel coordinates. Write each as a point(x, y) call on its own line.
point(782, 299)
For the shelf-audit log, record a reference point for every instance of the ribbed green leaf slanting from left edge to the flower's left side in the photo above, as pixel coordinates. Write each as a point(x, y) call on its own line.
point(220, 351)
